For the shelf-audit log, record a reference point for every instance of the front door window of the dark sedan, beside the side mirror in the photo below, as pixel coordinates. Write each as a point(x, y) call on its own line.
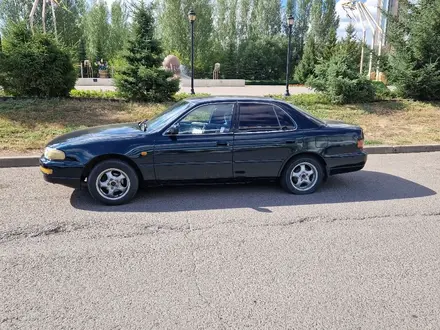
point(208, 119)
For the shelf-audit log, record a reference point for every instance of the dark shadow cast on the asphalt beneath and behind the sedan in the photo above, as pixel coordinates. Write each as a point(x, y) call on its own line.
point(354, 187)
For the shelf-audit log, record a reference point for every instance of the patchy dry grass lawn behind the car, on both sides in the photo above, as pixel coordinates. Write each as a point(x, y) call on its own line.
point(27, 125)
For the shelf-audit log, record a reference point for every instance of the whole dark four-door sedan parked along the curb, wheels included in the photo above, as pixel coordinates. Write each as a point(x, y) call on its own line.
point(215, 139)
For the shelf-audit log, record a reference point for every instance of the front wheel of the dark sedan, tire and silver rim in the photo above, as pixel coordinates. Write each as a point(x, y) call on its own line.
point(108, 187)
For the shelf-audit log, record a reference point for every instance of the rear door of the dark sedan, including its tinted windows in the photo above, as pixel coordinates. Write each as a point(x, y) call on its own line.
point(265, 137)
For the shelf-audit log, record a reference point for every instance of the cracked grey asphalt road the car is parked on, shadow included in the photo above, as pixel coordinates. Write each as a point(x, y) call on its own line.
point(362, 253)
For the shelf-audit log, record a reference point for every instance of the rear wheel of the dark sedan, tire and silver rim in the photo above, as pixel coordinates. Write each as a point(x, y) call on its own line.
point(306, 169)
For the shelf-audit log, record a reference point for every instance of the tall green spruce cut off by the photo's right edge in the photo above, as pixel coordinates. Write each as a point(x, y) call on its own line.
point(415, 49)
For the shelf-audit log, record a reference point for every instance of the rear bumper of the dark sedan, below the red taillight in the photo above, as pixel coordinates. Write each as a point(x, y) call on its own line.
point(346, 163)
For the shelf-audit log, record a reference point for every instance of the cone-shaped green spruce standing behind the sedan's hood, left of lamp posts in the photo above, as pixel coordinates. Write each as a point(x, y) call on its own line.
point(144, 78)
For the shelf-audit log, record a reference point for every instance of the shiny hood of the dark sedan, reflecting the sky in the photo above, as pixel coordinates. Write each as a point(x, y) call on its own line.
point(98, 133)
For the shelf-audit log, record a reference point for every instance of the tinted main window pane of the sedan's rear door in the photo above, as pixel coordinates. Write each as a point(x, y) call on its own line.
point(258, 118)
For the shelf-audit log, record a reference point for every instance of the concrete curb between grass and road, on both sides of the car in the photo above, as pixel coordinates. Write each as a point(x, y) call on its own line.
point(30, 161)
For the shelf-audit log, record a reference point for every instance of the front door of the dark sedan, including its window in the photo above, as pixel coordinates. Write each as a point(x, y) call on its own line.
point(202, 148)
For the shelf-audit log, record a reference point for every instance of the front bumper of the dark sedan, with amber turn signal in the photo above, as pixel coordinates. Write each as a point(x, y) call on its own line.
point(66, 173)
